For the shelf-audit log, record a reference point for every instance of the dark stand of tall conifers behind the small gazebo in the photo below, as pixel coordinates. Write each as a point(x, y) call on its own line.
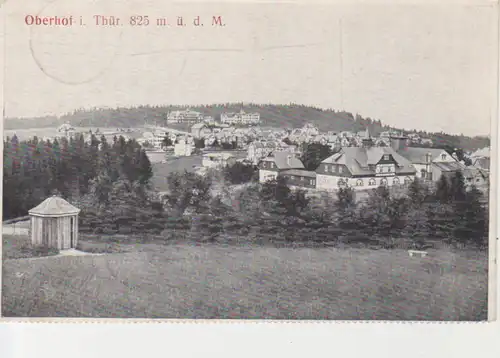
point(73, 168)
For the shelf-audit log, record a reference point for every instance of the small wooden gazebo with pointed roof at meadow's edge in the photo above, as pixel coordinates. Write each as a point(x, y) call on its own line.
point(54, 224)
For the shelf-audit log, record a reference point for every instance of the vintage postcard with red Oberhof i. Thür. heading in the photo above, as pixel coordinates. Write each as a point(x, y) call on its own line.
point(249, 160)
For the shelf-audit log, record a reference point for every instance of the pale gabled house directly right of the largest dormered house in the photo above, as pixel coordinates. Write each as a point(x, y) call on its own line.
point(430, 163)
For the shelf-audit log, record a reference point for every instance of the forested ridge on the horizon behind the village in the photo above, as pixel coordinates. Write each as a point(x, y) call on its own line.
point(293, 115)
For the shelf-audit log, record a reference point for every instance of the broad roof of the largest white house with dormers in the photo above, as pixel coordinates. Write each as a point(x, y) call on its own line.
point(358, 159)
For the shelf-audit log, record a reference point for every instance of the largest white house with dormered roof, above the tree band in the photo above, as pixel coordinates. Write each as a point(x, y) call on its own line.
point(364, 168)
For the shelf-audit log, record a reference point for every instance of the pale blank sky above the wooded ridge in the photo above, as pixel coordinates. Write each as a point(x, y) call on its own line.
point(424, 66)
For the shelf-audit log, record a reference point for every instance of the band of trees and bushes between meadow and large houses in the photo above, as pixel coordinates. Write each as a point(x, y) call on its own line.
point(273, 211)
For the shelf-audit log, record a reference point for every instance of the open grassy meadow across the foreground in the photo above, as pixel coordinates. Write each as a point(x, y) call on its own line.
point(215, 281)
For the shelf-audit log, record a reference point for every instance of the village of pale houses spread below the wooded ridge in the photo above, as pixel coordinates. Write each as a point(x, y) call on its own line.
point(359, 160)
